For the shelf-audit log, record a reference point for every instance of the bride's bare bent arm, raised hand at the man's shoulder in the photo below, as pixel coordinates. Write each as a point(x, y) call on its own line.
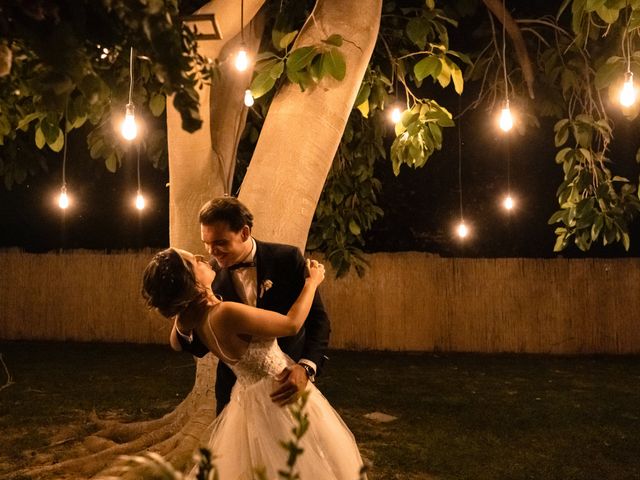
point(243, 319)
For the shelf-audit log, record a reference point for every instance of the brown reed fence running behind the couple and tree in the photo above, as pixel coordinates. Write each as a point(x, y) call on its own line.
point(406, 301)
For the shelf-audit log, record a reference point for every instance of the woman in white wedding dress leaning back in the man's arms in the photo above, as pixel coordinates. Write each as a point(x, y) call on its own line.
point(249, 431)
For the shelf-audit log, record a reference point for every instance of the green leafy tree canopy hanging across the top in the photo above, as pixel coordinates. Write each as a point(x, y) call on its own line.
point(65, 67)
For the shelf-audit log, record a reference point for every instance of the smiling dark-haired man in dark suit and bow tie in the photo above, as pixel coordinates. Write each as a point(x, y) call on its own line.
point(265, 275)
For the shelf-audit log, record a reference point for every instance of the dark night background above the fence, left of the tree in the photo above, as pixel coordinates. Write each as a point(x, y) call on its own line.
point(102, 215)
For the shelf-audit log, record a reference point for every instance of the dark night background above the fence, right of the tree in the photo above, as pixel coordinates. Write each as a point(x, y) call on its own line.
point(422, 206)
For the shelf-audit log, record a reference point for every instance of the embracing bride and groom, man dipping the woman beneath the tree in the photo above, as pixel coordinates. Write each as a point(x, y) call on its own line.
point(260, 314)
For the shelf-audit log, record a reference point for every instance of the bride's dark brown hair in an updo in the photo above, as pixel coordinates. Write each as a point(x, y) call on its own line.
point(169, 283)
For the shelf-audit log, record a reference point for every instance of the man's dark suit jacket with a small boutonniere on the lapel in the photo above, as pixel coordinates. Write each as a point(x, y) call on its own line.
point(285, 267)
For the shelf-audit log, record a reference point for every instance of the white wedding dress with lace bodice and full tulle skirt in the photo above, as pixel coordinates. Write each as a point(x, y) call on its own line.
point(248, 432)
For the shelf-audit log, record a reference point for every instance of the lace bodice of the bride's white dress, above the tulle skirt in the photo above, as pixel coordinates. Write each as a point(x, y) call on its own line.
point(263, 358)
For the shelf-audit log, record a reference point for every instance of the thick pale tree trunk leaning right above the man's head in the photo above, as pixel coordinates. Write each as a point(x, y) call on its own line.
point(302, 130)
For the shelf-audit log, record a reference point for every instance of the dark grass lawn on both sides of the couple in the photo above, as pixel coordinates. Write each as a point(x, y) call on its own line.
point(458, 416)
